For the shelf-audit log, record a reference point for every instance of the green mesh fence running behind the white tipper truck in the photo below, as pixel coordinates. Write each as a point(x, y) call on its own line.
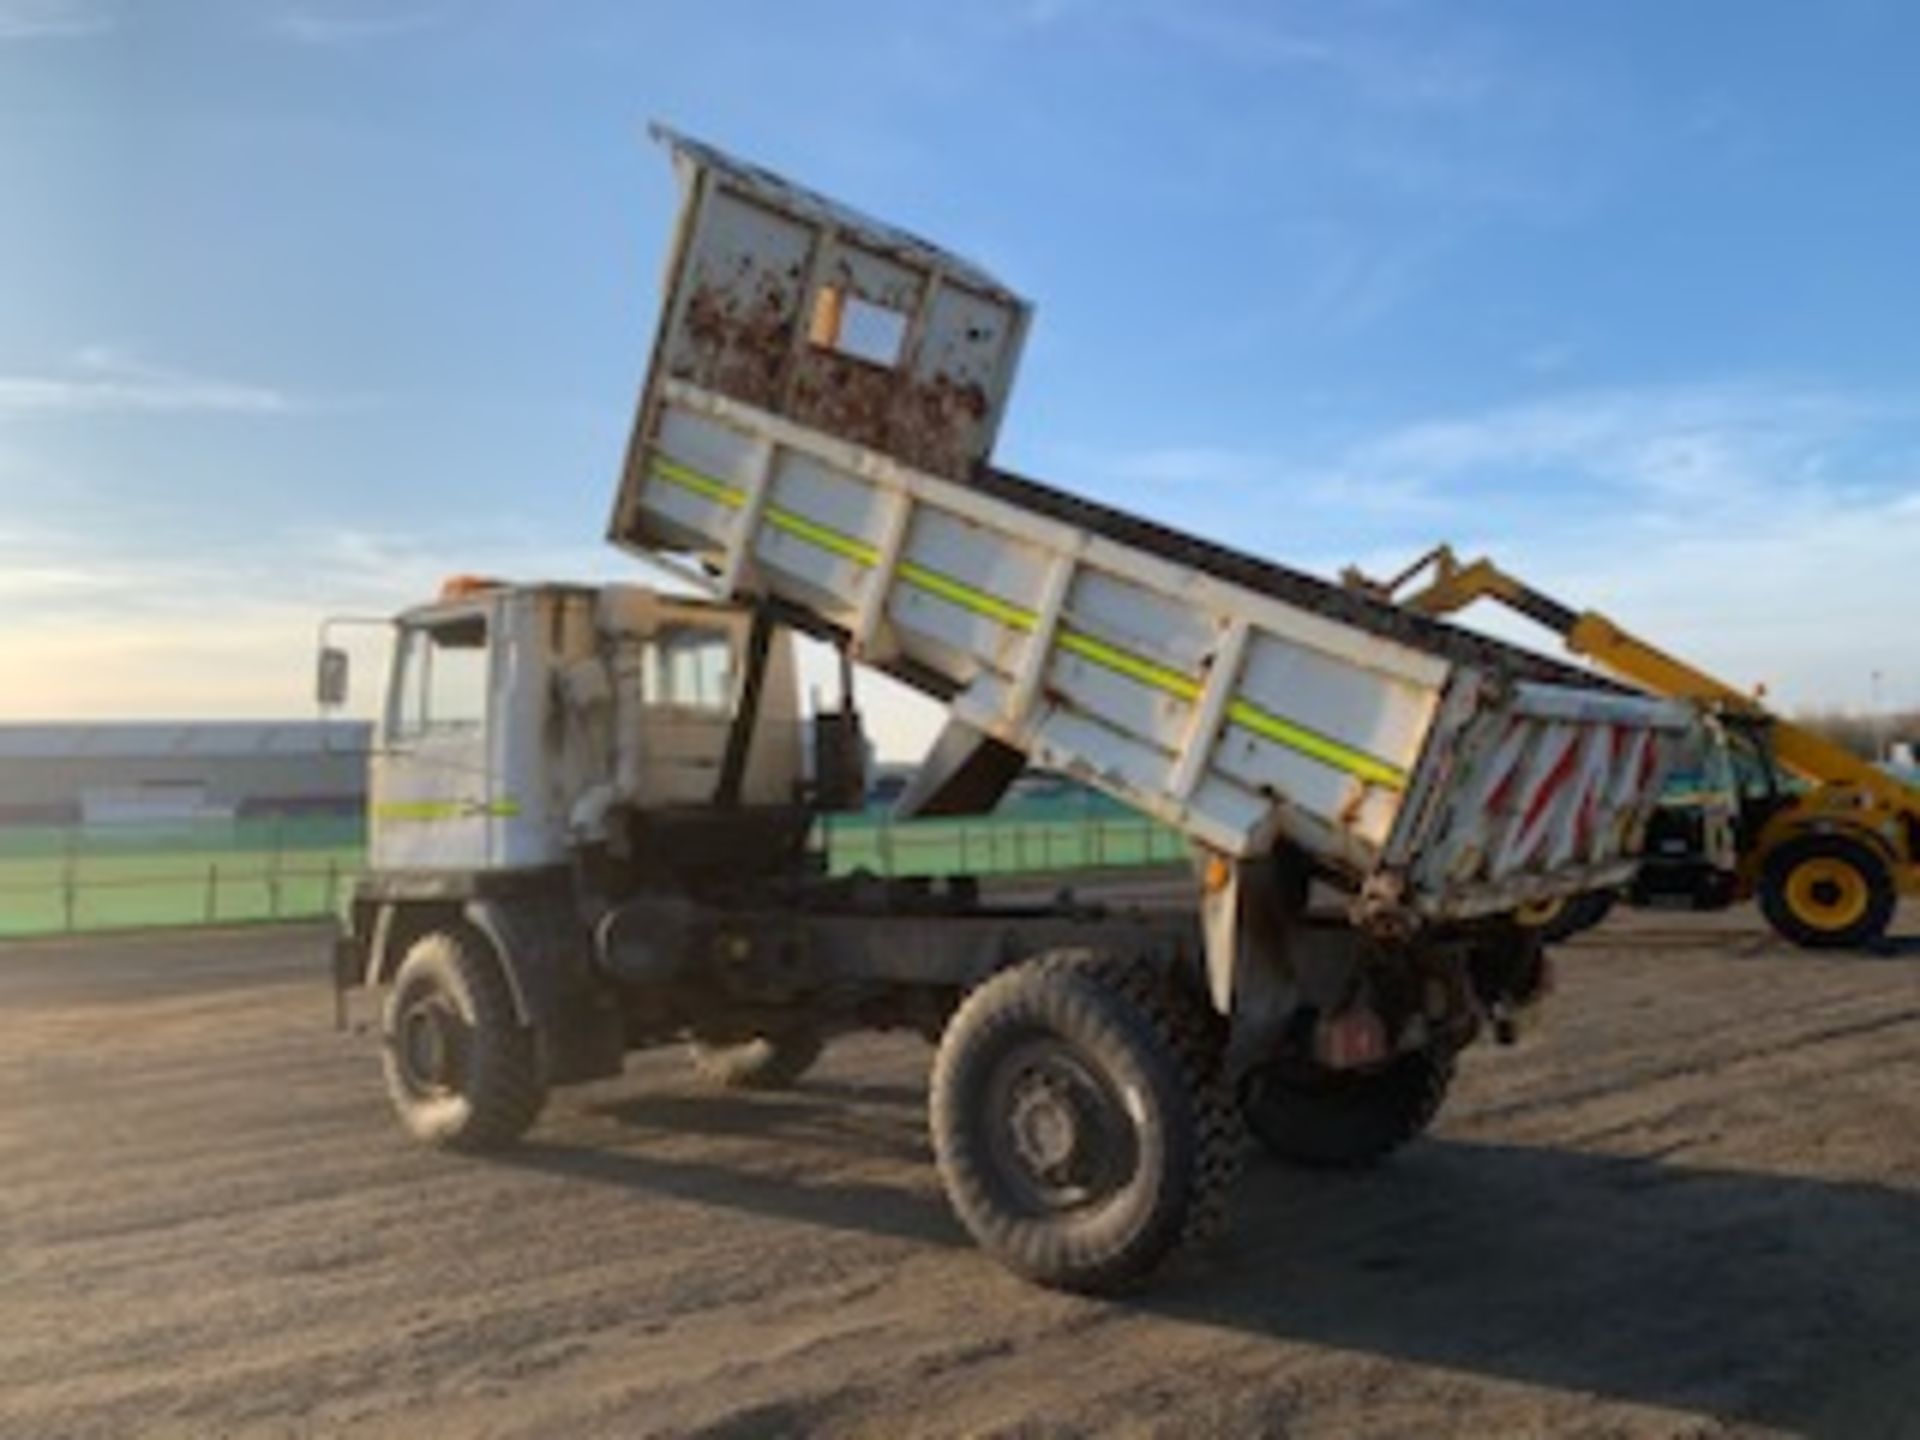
point(70, 880)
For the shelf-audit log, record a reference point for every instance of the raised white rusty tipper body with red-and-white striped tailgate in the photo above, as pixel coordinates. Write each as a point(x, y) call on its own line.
point(815, 431)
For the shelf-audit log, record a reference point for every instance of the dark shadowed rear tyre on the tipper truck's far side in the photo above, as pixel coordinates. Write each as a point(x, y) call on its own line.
point(1345, 1120)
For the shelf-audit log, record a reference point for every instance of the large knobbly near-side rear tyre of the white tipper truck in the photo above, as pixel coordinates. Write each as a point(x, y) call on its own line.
point(1149, 1063)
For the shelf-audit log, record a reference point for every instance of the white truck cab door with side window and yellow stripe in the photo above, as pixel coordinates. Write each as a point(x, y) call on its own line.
point(435, 796)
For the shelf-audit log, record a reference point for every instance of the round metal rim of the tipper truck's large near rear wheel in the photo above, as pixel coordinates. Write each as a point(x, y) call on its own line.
point(1059, 1134)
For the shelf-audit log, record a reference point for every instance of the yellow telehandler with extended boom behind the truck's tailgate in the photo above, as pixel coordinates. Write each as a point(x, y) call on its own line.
point(1825, 840)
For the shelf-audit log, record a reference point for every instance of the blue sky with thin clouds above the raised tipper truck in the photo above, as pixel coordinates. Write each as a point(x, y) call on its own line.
point(310, 302)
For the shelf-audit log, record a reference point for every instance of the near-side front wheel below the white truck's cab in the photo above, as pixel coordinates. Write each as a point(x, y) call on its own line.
point(485, 1090)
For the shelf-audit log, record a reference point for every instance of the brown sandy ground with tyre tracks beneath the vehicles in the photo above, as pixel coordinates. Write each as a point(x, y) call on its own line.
point(1691, 1207)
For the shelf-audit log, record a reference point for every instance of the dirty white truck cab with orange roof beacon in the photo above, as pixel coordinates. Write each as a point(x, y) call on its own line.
point(527, 723)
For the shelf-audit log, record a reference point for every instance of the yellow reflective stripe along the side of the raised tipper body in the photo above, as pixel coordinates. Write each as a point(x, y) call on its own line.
point(1076, 642)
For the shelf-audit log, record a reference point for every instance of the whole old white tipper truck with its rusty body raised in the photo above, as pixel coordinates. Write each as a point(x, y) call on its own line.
point(592, 805)
